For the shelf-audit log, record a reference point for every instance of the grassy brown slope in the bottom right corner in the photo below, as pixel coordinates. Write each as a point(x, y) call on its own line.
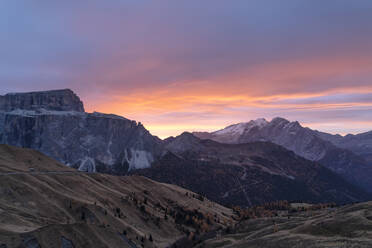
point(348, 226)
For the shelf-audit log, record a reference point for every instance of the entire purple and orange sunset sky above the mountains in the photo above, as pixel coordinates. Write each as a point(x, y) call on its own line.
point(197, 65)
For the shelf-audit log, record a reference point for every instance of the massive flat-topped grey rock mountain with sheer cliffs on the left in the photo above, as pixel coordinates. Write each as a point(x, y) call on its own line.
point(54, 122)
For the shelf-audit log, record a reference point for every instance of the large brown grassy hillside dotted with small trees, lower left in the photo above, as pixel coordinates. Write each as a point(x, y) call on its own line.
point(46, 204)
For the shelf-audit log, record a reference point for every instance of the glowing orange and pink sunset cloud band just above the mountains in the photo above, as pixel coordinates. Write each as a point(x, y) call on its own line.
point(283, 88)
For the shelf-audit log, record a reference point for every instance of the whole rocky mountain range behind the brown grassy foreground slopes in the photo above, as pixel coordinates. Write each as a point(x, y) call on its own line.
point(243, 164)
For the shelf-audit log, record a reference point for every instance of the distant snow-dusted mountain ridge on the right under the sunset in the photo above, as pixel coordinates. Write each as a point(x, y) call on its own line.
point(304, 142)
